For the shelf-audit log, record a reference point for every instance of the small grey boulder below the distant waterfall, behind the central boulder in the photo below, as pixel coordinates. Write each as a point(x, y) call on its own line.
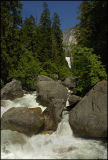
point(69, 82)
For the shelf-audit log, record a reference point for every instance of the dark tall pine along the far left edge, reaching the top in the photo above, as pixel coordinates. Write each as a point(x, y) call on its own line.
point(10, 21)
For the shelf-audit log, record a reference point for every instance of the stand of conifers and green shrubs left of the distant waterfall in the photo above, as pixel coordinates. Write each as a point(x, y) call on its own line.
point(29, 48)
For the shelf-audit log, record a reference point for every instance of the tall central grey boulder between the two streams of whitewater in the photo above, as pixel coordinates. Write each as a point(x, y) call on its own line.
point(52, 95)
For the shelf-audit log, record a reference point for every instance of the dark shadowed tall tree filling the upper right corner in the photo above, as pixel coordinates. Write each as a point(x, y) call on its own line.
point(93, 28)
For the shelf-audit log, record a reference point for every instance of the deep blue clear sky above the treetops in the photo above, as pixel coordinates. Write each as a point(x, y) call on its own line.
point(67, 11)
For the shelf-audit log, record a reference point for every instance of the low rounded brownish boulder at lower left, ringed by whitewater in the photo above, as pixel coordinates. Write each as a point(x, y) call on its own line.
point(25, 120)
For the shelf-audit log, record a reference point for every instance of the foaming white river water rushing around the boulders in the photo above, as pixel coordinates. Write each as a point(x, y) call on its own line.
point(62, 144)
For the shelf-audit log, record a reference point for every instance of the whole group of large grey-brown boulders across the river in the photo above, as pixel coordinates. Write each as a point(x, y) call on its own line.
point(87, 115)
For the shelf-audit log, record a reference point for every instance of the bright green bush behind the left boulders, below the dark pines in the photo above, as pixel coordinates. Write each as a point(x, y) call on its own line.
point(27, 70)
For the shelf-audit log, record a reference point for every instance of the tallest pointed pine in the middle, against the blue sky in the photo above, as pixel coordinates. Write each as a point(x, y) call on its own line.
point(44, 51)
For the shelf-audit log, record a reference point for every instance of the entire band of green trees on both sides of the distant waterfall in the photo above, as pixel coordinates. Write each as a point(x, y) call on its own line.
point(29, 48)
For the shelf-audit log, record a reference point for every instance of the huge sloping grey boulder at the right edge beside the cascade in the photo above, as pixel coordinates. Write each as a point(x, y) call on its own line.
point(89, 117)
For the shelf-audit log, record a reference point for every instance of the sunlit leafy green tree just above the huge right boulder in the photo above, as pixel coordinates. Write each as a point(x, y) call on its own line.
point(88, 68)
